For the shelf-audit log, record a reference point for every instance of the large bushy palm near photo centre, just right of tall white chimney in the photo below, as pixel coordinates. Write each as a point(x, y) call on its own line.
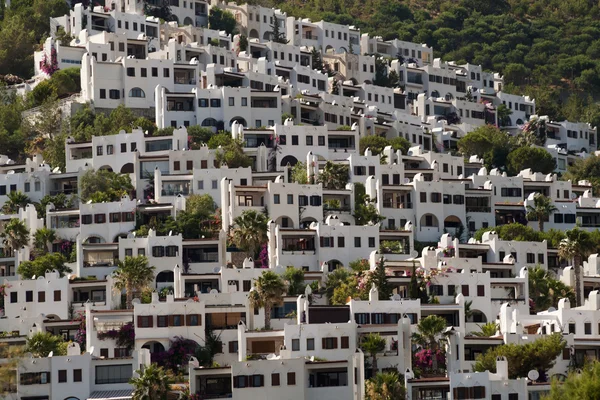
point(250, 231)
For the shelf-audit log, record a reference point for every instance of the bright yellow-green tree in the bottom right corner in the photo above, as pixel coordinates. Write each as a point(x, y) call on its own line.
point(582, 385)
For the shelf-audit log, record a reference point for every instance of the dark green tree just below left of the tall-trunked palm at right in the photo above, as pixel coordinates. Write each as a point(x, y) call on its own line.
point(545, 290)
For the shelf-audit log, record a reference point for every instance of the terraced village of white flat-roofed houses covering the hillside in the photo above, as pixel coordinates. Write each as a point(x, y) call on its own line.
point(302, 223)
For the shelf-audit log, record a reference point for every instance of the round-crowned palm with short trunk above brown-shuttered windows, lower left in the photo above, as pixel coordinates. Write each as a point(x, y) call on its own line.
point(133, 274)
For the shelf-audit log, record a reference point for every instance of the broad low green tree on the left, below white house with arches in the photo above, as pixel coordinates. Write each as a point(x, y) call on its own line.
point(104, 185)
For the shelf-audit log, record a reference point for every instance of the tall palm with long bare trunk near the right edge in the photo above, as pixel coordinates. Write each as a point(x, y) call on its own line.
point(576, 246)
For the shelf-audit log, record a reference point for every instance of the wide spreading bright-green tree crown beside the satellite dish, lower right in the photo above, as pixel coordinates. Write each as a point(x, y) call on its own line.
point(539, 355)
